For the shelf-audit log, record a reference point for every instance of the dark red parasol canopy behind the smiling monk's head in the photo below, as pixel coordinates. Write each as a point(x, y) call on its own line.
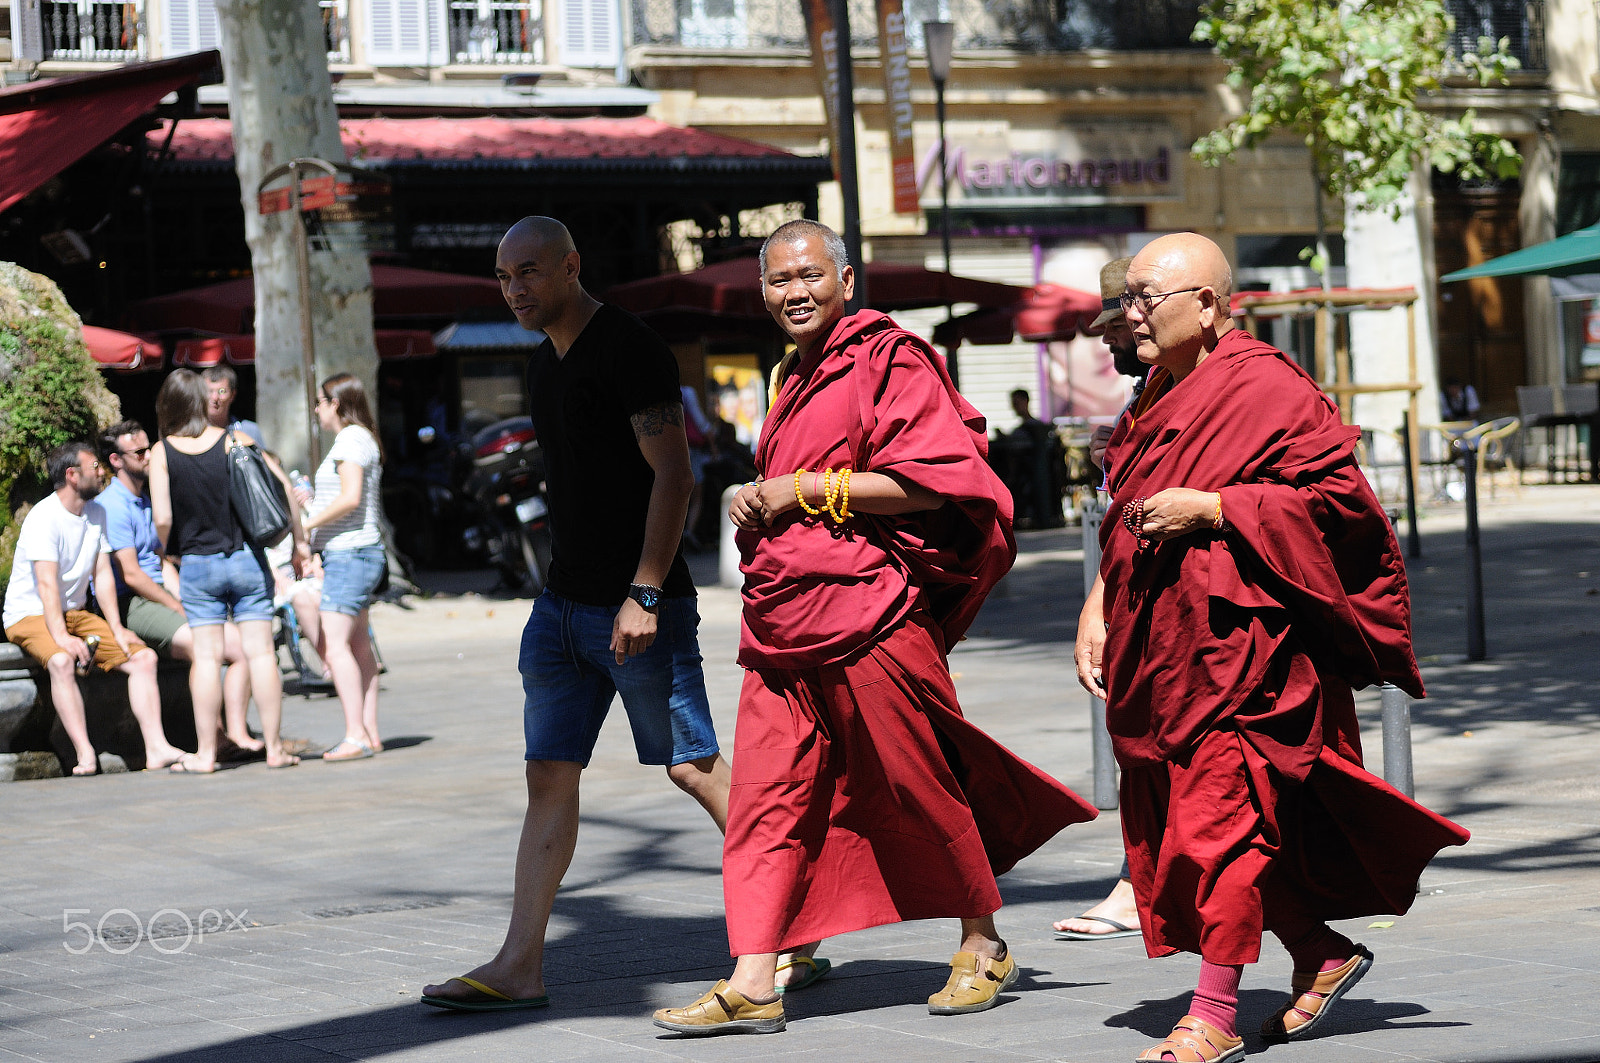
point(734, 291)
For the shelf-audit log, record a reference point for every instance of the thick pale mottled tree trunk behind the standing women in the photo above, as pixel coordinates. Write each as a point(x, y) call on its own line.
point(281, 102)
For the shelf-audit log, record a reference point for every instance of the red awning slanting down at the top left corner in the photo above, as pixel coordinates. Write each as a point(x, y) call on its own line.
point(49, 126)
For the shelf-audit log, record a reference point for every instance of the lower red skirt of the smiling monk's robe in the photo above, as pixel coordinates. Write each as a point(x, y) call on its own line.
point(863, 796)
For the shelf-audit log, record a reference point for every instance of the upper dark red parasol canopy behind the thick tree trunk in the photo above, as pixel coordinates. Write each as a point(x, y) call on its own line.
point(398, 292)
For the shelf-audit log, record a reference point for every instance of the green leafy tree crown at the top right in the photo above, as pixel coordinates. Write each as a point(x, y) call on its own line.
point(1348, 76)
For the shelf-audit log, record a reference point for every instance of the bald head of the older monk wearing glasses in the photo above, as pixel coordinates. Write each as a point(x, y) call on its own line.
point(1180, 289)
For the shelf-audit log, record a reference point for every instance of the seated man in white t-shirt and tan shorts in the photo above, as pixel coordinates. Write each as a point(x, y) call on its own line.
point(62, 548)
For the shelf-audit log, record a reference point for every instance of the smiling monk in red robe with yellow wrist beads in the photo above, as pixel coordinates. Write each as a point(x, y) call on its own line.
point(860, 793)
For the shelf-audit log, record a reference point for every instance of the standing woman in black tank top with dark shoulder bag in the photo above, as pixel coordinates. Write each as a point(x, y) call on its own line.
point(220, 574)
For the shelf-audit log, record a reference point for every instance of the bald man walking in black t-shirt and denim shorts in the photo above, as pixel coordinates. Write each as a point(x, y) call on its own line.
point(618, 614)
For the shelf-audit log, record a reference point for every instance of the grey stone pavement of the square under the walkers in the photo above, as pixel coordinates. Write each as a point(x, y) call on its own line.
point(297, 915)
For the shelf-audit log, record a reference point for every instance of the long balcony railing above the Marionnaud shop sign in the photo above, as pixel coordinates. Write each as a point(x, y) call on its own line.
point(1009, 25)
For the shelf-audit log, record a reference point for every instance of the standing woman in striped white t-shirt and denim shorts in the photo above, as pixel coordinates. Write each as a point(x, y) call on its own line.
point(345, 529)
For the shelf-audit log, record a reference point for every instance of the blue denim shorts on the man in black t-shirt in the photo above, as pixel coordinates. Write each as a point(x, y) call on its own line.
point(570, 676)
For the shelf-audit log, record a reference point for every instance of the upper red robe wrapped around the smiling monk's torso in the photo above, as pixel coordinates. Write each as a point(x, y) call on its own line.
point(878, 399)
